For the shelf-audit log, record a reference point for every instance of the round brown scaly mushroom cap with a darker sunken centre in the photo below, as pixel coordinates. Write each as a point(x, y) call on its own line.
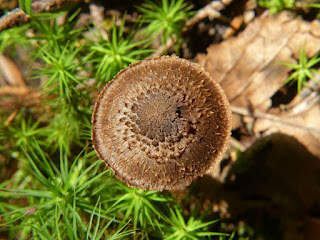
point(161, 123)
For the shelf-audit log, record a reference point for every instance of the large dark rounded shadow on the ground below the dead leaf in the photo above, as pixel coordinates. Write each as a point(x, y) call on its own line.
point(274, 186)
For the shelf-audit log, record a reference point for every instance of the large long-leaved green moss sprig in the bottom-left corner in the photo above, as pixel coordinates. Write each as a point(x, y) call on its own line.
point(63, 191)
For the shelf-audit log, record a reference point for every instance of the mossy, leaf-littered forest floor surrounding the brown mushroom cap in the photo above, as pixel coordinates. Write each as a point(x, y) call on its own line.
point(264, 54)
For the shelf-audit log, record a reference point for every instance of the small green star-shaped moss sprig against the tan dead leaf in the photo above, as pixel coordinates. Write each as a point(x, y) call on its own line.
point(303, 71)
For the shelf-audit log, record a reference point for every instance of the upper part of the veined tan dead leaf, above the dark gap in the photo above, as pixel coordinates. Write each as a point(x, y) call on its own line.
point(247, 66)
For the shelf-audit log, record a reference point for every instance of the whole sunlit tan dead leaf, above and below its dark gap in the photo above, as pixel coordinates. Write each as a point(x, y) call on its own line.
point(248, 69)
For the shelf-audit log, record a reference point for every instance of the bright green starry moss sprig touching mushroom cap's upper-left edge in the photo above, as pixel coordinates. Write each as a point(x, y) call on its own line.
point(111, 55)
